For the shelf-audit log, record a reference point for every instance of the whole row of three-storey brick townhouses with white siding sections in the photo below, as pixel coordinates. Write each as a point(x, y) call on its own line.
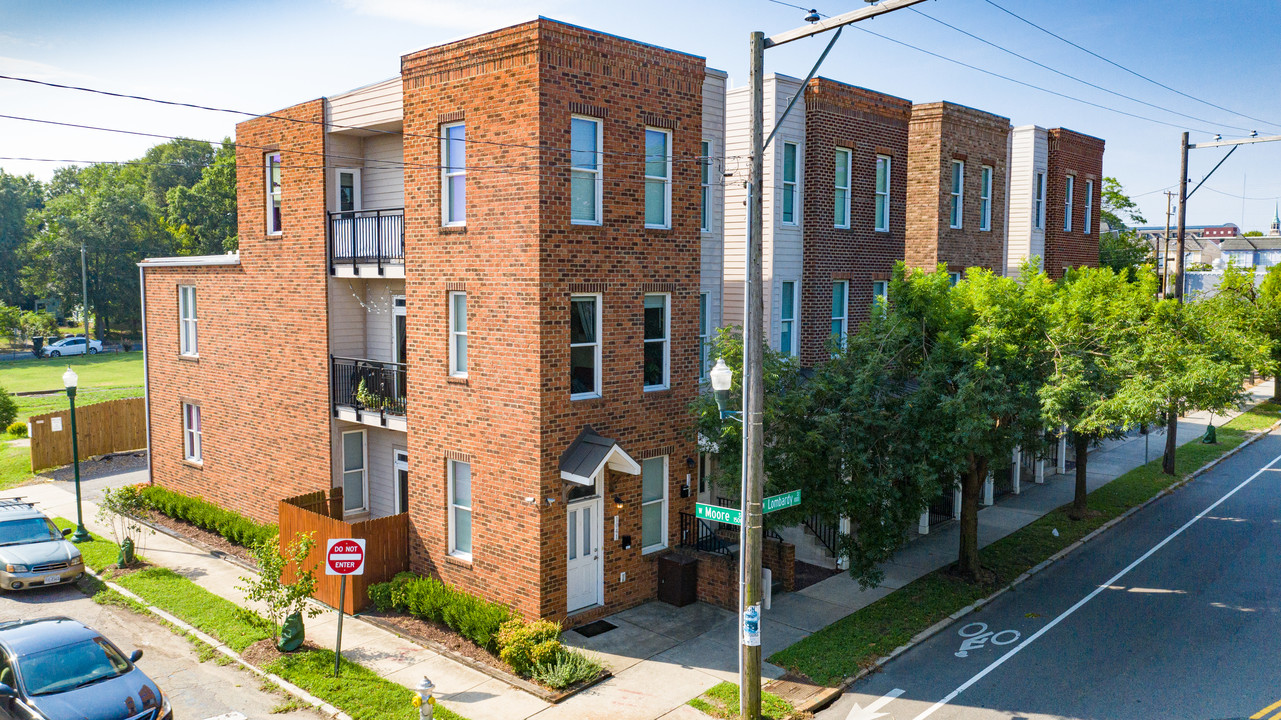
point(481, 294)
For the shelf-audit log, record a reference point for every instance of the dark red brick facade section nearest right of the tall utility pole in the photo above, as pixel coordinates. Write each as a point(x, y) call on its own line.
point(869, 125)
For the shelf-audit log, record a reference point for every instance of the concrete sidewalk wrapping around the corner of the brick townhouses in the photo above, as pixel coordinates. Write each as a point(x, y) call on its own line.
point(662, 657)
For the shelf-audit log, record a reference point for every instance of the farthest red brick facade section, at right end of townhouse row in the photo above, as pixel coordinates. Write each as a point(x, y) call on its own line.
point(1081, 157)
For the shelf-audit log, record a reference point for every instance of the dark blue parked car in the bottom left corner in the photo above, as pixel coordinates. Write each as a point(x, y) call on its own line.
point(60, 669)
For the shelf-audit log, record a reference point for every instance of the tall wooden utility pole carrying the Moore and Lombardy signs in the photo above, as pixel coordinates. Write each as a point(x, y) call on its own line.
point(754, 353)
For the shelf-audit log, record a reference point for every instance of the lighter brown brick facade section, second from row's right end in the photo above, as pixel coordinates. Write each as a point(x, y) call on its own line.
point(942, 134)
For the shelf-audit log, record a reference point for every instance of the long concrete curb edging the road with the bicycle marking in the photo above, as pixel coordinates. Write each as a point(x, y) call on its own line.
point(828, 696)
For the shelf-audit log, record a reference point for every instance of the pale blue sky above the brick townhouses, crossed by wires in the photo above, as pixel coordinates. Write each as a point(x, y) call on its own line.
point(266, 56)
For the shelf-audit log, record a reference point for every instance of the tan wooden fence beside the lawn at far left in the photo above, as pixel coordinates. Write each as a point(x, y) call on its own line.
point(116, 426)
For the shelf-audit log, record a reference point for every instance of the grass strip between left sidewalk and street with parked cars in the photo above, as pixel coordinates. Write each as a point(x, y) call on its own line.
point(361, 692)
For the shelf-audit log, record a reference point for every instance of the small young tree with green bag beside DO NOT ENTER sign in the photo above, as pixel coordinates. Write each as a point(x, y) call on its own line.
point(286, 604)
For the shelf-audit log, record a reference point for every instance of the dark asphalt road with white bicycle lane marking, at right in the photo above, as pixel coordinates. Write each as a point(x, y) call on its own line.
point(1173, 614)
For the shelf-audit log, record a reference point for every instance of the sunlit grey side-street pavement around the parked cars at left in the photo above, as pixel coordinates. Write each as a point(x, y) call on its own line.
point(198, 690)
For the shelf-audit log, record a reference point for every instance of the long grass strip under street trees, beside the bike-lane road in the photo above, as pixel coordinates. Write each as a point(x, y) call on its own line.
point(855, 642)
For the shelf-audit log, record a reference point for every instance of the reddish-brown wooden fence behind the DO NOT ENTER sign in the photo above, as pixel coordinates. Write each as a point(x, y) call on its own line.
point(386, 545)
